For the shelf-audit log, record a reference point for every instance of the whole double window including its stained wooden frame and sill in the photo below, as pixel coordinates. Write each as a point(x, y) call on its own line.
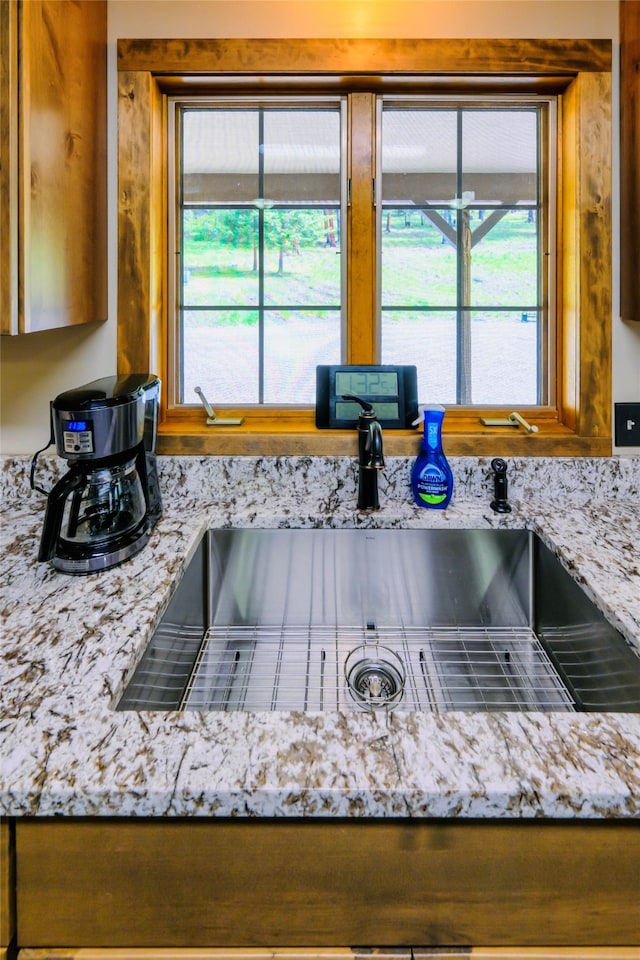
point(320, 211)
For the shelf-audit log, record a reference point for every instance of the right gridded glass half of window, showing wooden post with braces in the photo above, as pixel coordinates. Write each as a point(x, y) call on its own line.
point(459, 230)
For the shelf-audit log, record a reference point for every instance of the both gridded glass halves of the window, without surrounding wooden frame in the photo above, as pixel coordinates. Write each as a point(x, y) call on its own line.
point(462, 243)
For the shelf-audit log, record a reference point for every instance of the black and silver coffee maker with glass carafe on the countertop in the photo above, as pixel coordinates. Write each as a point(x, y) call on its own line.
point(103, 509)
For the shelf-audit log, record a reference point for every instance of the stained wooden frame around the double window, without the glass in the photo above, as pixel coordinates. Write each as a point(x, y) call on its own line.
point(578, 71)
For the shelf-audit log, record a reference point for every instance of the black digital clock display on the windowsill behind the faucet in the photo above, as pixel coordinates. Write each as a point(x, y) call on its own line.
point(391, 390)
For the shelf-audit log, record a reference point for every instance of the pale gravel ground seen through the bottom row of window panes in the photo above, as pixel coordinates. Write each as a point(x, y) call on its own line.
point(224, 360)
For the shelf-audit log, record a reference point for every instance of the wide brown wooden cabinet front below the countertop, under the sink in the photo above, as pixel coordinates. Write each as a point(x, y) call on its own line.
point(324, 884)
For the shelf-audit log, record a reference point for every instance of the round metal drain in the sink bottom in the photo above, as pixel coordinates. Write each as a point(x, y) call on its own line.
point(375, 676)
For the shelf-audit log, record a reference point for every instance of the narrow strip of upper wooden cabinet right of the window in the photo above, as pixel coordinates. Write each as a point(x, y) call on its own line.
point(630, 158)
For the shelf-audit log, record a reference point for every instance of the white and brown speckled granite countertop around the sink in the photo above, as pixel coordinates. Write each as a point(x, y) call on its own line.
point(70, 644)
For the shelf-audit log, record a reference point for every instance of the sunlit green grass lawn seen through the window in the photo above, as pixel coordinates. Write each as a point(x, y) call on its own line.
point(418, 270)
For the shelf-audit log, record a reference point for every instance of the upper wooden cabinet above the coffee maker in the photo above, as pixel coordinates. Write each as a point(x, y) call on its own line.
point(53, 164)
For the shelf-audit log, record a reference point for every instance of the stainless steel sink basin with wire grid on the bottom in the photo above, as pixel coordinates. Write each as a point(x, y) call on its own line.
point(434, 620)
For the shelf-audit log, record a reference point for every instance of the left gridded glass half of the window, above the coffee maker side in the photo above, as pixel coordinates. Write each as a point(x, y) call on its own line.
point(260, 287)
